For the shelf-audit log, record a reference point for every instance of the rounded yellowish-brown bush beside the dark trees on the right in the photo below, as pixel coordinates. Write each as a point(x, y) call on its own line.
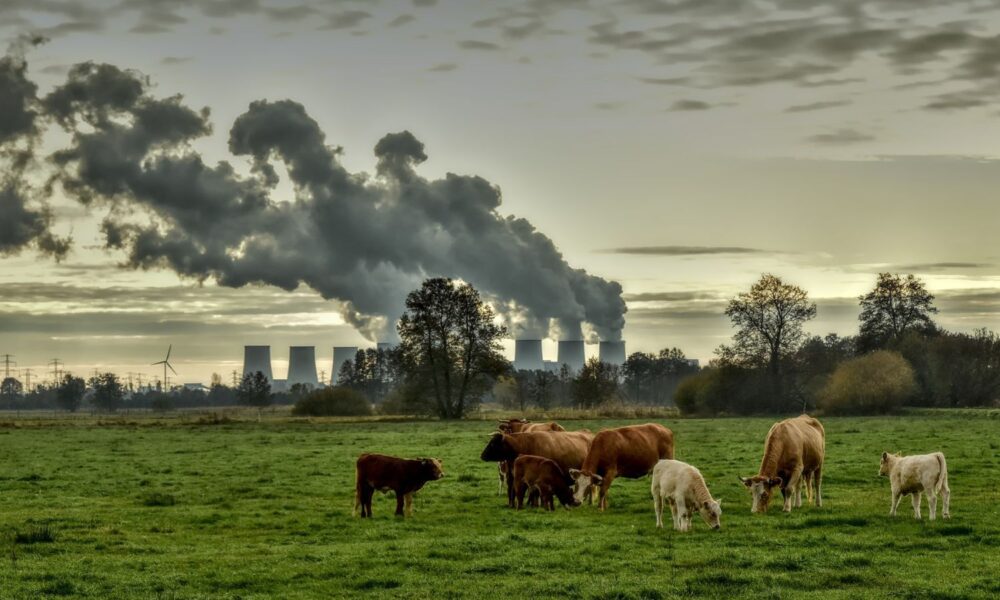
point(877, 383)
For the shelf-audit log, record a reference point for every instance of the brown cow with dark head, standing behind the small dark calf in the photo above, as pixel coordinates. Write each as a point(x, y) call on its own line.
point(567, 448)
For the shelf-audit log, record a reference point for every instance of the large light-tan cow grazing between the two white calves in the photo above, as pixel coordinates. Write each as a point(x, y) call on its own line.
point(793, 453)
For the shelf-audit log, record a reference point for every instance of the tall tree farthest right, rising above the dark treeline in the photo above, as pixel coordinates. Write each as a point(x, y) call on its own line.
point(897, 305)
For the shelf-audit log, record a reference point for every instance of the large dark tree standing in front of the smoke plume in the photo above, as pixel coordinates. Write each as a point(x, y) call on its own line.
point(450, 346)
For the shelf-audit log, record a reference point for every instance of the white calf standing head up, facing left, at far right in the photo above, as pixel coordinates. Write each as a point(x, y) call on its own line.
point(923, 473)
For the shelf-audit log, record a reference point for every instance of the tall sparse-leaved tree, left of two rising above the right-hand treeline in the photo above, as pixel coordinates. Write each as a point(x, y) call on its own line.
point(769, 321)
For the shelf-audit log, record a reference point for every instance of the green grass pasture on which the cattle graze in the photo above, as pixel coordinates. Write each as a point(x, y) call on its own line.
point(263, 510)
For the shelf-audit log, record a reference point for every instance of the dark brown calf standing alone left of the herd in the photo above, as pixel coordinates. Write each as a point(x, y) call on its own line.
point(401, 475)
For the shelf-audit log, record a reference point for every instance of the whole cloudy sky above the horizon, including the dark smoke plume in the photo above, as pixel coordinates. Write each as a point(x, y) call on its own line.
point(280, 172)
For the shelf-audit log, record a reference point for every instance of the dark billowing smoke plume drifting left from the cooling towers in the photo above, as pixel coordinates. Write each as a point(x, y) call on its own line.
point(365, 240)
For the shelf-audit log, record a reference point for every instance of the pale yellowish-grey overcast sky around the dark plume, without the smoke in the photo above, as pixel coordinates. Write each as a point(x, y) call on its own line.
point(677, 147)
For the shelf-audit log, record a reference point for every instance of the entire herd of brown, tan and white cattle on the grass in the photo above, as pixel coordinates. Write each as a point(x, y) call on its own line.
point(543, 461)
